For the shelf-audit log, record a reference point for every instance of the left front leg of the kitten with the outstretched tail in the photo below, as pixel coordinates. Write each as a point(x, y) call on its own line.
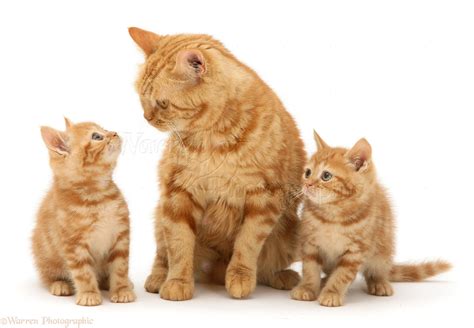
point(308, 288)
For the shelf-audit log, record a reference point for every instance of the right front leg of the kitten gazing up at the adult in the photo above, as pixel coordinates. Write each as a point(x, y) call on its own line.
point(121, 288)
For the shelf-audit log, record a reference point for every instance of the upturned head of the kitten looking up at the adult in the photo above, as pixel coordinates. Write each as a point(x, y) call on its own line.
point(84, 149)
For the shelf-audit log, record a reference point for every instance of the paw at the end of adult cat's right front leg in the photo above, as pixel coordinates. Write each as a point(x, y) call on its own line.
point(240, 281)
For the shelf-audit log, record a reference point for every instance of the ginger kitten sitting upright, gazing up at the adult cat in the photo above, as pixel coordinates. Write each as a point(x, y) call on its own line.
point(81, 239)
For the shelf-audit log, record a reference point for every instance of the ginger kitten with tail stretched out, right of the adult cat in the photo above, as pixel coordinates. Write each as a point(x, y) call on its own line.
point(348, 227)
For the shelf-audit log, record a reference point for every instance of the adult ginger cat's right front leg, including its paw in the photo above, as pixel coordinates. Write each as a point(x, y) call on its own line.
point(261, 212)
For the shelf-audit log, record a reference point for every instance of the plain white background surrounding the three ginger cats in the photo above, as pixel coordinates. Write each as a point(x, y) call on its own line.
point(400, 73)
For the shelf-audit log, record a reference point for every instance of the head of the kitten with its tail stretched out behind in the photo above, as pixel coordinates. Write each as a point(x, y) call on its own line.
point(337, 174)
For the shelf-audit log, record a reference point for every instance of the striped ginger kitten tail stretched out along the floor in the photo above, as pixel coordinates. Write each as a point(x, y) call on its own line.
point(417, 272)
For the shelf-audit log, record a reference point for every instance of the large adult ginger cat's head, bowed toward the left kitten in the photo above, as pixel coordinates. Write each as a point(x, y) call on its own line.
point(186, 79)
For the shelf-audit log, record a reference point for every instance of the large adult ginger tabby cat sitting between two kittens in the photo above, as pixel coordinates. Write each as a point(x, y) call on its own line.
point(229, 171)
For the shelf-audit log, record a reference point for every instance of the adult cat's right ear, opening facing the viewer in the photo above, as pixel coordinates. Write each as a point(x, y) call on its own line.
point(190, 63)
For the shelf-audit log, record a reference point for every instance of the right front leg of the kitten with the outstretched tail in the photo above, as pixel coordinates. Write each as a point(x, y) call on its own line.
point(340, 279)
